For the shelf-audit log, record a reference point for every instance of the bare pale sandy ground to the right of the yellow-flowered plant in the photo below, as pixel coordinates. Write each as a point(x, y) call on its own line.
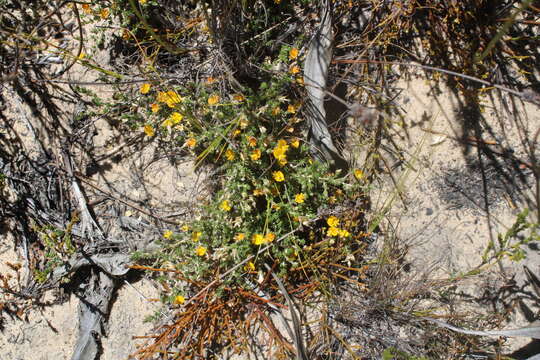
point(442, 209)
